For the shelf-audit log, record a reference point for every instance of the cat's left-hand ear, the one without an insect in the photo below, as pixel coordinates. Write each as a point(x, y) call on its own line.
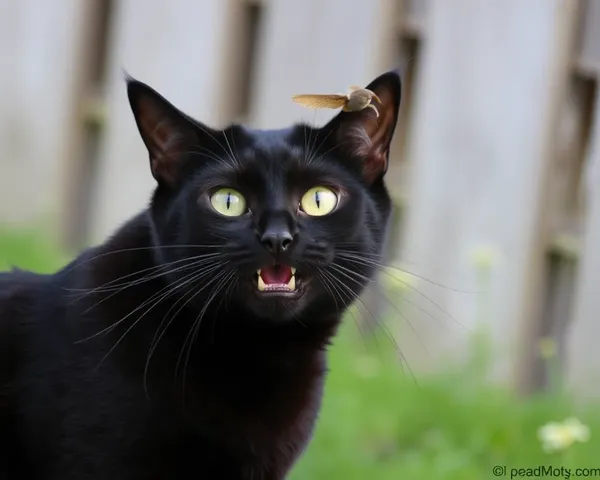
point(167, 132)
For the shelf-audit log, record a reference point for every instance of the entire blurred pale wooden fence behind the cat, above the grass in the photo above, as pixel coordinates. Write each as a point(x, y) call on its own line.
point(495, 166)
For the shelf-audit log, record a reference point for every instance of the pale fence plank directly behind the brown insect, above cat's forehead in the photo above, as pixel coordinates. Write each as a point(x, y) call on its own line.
point(338, 48)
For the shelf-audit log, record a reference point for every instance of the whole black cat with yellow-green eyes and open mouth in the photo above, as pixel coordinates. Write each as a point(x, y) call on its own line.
point(192, 343)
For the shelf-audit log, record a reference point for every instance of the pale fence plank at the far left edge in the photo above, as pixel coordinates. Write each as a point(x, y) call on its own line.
point(40, 48)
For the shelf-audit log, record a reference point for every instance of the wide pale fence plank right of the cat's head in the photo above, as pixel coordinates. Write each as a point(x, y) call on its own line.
point(484, 112)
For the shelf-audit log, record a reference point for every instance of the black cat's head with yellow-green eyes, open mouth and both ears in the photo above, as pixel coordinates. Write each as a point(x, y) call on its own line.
point(280, 223)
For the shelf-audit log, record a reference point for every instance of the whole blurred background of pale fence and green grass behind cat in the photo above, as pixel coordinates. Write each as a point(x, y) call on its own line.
point(485, 325)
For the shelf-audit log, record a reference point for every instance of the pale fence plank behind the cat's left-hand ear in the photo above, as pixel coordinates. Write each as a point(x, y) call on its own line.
point(181, 49)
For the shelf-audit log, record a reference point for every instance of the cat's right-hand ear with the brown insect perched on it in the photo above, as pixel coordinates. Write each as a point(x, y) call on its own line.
point(366, 136)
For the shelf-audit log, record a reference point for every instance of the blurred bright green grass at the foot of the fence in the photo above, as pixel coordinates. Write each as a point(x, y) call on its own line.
point(378, 423)
